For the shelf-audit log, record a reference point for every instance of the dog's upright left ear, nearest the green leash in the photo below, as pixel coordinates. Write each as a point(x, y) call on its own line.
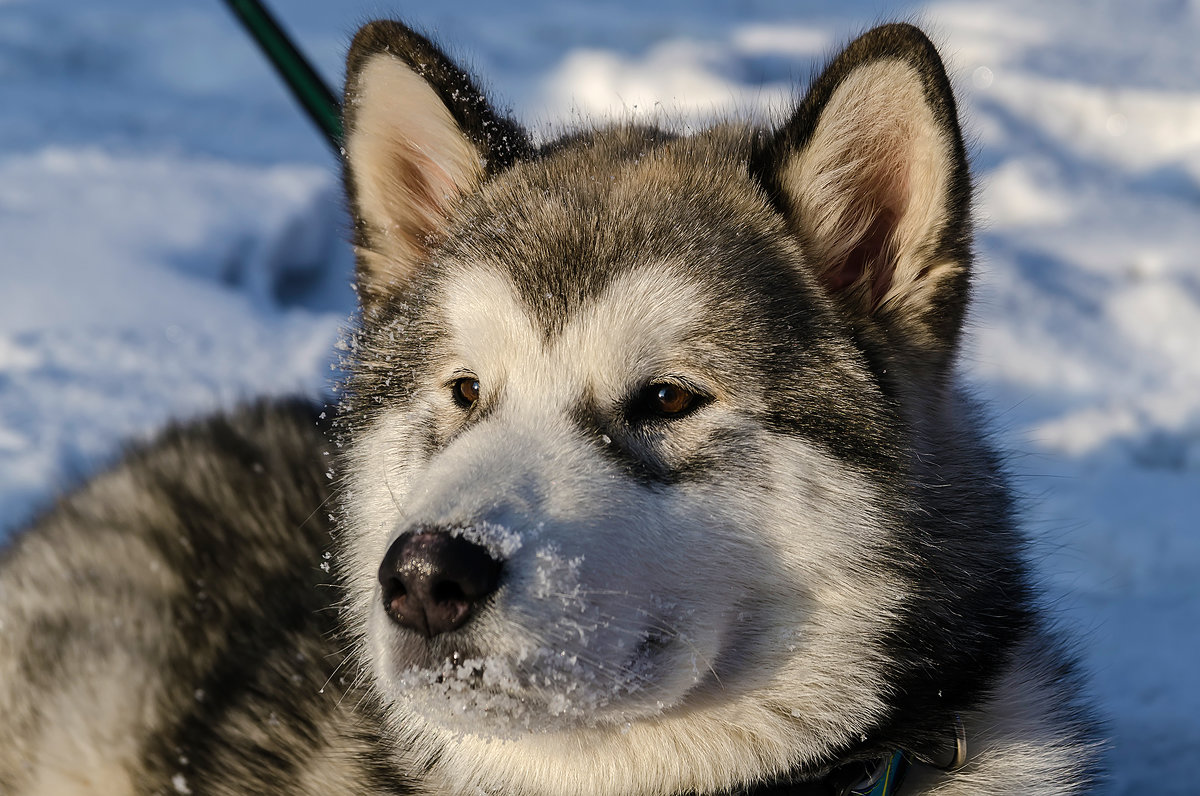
point(419, 137)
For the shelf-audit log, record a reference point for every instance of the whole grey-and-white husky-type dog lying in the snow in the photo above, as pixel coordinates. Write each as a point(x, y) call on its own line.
point(655, 480)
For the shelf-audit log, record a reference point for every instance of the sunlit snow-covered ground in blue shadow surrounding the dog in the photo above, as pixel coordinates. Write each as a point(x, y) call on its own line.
point(172, 242)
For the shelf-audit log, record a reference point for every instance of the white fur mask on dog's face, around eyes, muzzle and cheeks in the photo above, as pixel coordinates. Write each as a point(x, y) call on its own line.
point(605, 561)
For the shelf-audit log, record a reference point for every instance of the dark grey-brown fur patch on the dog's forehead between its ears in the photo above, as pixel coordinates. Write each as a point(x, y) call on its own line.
point(595, 207)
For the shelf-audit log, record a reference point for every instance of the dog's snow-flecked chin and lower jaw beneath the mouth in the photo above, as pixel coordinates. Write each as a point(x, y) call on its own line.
point(536, 690)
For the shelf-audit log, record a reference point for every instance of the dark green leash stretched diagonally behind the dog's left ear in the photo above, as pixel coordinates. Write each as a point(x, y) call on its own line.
point(309, 89)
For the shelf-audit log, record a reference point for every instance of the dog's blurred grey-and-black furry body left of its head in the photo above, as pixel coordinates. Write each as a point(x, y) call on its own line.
point(171, 625)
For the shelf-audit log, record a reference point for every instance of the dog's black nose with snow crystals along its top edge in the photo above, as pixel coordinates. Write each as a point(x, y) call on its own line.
point(434, 582)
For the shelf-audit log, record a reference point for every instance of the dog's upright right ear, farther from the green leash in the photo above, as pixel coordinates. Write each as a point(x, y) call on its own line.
point(872, 176)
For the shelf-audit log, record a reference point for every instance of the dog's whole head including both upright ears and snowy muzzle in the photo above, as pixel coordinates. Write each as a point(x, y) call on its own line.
point(627, 481)
